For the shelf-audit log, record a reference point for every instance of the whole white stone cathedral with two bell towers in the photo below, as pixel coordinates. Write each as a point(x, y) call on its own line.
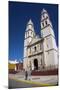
point(40, 52)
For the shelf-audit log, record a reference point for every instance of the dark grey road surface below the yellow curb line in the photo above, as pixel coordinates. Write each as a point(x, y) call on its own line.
point(19, 84)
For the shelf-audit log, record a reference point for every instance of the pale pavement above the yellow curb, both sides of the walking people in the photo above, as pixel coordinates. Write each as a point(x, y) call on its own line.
point(53, 79)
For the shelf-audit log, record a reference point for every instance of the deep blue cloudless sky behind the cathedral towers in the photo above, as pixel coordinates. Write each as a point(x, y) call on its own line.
point(19, 15)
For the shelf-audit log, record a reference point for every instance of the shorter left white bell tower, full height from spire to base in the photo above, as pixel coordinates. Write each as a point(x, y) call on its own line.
point(29, 34)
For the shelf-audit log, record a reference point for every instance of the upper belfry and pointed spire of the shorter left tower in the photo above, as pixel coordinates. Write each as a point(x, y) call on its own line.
point(29, 33)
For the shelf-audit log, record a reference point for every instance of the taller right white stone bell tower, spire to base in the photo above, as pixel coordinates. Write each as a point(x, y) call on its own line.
point(49, 44)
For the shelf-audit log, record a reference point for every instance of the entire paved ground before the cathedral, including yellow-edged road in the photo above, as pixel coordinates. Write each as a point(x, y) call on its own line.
point(19, 80)
